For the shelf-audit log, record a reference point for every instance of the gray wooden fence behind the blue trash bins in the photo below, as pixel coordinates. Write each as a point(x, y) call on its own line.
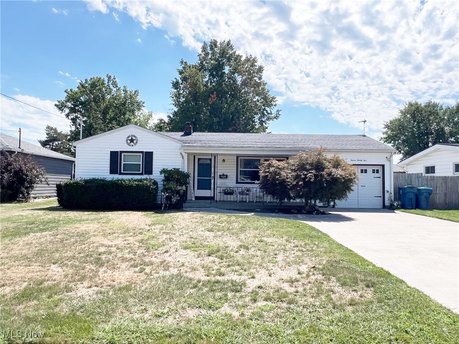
point(445, 190)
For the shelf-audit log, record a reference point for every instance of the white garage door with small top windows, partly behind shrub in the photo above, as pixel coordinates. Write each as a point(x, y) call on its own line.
point(367, 192)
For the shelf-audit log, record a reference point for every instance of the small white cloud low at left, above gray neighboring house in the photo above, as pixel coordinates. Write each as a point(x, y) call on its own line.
point(32, 121)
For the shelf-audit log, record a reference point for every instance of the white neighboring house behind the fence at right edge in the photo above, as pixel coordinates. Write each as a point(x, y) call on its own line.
point(439, 160)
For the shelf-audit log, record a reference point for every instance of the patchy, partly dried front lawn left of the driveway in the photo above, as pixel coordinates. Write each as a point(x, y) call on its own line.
point(180, 277)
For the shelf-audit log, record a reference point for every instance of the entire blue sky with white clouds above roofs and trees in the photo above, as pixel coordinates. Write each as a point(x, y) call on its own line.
point(330, 64)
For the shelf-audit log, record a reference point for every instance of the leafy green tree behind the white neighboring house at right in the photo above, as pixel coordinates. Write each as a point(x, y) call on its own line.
point(420, 126)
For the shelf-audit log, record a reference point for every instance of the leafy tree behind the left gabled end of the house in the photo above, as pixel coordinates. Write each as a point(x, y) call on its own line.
point(102, 105)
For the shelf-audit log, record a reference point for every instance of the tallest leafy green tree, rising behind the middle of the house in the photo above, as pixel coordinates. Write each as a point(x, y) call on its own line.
point(222, 92)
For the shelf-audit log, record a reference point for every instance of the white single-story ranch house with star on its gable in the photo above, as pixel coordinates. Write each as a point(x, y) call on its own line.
point(224, 166)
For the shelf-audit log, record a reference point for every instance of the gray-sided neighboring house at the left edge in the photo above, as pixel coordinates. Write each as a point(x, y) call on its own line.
point(58, 167)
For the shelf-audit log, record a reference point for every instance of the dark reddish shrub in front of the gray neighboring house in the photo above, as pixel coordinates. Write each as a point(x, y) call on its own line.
point(18, 175)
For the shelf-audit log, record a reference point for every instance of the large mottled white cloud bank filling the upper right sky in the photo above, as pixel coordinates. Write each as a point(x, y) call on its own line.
point(357, 60)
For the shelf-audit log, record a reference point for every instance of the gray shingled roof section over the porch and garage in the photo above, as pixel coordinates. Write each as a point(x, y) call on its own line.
point(280, 141)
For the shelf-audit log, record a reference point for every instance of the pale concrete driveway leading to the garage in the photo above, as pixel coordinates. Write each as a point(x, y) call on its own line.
point(422, 251)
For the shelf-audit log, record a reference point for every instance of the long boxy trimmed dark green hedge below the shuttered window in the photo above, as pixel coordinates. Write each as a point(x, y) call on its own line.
point(103, 194)
